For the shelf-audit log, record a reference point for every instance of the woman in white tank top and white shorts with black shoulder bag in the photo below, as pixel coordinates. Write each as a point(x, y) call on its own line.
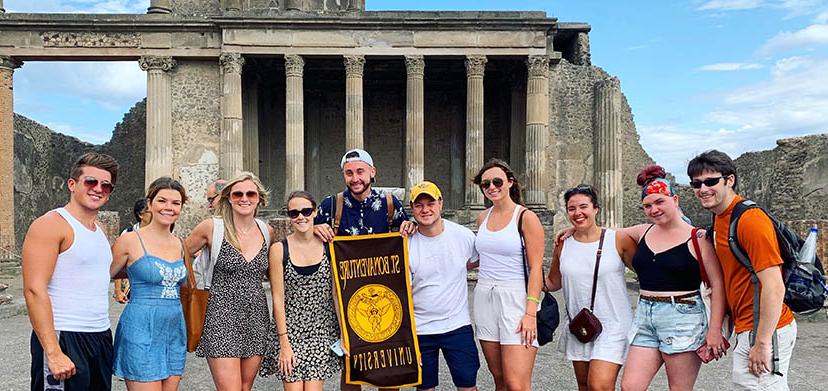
point(503, 310)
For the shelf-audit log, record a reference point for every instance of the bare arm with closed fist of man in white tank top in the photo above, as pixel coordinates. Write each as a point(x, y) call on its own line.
point(40, 251)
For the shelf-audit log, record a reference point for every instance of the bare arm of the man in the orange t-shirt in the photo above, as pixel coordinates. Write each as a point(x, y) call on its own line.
point(770, 308)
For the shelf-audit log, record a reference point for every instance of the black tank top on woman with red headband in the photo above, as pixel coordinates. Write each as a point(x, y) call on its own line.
point(674, 269)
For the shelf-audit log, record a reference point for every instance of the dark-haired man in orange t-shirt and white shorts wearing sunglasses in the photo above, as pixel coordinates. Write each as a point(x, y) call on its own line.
point(713, 179)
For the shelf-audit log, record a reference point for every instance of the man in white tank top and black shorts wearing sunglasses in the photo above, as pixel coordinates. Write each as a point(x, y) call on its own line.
point(66, 259)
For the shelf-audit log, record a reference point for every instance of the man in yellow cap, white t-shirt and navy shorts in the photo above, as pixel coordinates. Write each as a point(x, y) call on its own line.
point(440, 253)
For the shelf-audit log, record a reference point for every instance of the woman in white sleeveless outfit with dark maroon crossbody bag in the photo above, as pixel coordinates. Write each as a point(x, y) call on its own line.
point(596, 363)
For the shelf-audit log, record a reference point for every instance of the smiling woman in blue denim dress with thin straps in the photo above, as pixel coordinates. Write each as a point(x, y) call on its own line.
point(150, 341)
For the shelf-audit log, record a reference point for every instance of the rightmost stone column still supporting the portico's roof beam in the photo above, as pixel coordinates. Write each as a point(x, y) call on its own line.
point(537, 119)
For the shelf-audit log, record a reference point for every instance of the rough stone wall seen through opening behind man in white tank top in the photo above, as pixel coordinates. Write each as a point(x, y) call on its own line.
point(43, 159)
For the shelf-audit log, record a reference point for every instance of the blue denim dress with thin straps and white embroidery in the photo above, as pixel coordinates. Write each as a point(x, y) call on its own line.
point(151, 339)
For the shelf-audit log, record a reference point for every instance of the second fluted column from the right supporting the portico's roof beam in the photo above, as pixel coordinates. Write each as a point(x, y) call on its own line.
point(475, 68)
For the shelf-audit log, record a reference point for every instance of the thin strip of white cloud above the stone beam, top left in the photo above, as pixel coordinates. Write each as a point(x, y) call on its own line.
point(79, 6)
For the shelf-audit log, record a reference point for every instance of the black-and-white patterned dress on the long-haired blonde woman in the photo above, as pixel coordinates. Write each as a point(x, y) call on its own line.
point(237, 320)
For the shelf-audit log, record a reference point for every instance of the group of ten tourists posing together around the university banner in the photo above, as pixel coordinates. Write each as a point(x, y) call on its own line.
point(68, 264)
